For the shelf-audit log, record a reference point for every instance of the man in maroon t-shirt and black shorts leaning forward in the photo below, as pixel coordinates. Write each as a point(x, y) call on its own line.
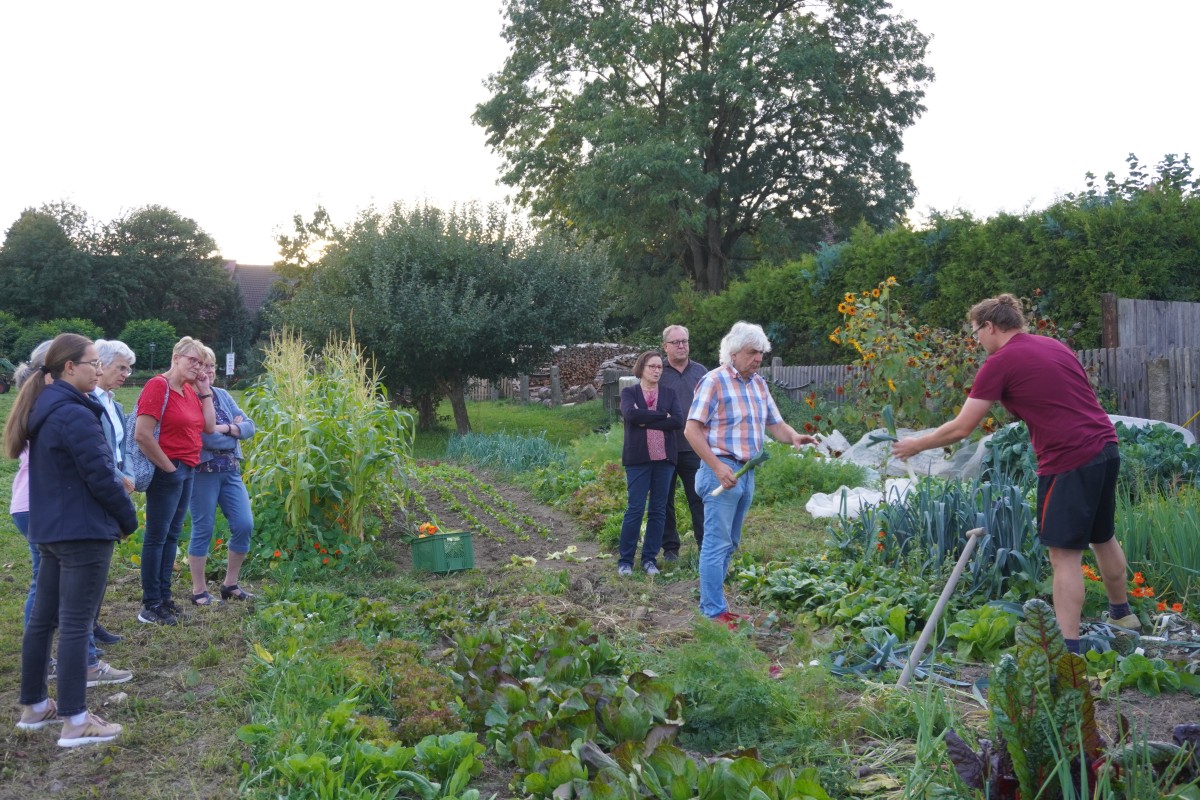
point(1040, 381)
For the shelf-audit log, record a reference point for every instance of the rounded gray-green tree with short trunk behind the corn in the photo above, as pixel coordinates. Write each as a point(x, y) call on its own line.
point(441, 297)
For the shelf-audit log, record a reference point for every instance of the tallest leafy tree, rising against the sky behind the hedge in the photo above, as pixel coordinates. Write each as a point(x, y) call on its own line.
point(685, 127)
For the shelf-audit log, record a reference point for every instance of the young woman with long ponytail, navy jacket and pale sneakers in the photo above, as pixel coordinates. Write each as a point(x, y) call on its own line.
point(79, 509)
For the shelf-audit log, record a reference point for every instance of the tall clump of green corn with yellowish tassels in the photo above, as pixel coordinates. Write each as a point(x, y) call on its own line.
point(332, 456)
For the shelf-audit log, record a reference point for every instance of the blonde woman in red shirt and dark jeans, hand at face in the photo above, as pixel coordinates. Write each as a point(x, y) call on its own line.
point(173, 411)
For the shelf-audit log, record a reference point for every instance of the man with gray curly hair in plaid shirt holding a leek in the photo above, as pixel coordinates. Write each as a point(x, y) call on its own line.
point(731, 412)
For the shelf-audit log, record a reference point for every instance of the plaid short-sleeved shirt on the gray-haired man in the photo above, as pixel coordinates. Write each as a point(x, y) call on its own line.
point(735, 411)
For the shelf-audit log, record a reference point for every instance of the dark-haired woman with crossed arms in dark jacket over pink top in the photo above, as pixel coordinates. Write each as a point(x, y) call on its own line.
point(651, 412)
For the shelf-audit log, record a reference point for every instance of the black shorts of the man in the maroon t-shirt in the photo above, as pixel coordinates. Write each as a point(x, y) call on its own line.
point(1077, 509)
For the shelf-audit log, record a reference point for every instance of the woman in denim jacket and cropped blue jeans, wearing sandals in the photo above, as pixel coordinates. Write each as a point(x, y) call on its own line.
point(218, 482)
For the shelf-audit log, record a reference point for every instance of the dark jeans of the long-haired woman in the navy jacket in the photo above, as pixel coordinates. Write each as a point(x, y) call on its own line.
point(70, 584)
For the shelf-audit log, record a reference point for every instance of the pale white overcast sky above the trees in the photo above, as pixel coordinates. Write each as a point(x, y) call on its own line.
point(242, 116)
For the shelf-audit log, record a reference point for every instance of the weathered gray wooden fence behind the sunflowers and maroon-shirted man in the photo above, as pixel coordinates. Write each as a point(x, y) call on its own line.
point(1165, 387)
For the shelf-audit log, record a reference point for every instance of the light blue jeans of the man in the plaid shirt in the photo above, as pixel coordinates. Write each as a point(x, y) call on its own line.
point(723, 533)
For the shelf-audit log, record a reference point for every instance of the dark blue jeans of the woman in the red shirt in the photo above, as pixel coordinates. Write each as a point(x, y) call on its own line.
point(167, 500)
